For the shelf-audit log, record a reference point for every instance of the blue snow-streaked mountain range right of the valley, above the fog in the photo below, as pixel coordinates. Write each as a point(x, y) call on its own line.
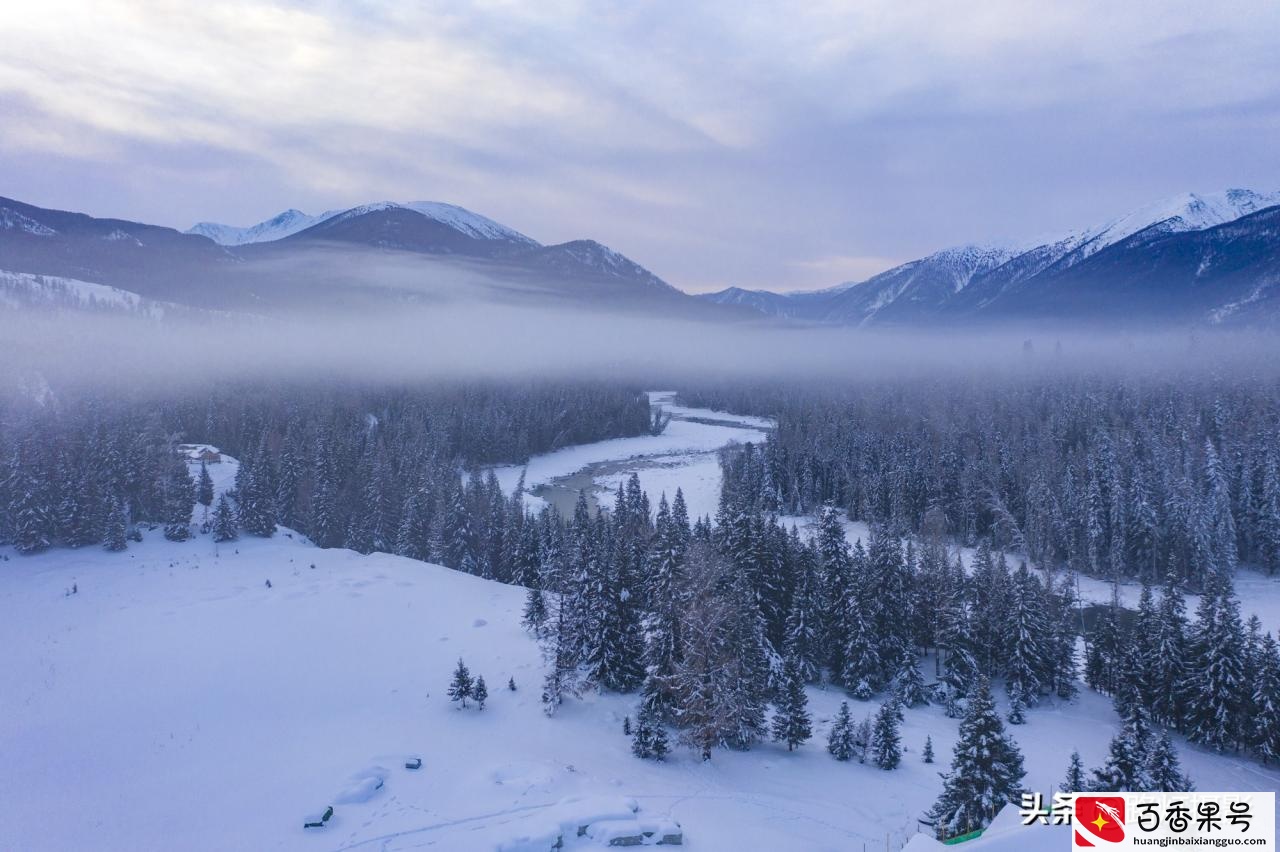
point(1076, 276)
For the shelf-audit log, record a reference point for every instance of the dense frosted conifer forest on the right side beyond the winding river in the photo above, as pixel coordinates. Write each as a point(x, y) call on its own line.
point(1109, 477)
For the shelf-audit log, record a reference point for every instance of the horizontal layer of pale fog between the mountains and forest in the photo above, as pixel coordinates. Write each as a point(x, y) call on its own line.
point(460, 341)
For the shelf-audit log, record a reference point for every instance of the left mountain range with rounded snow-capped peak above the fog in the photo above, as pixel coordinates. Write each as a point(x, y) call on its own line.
point(387, 251)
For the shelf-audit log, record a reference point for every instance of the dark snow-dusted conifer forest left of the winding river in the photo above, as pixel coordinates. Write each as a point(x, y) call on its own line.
point(371, 470)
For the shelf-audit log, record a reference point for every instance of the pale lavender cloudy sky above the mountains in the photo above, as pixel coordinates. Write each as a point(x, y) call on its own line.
point(758, 145)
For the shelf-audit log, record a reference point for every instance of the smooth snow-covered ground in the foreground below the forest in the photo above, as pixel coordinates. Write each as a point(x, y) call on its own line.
point(177, 700)
